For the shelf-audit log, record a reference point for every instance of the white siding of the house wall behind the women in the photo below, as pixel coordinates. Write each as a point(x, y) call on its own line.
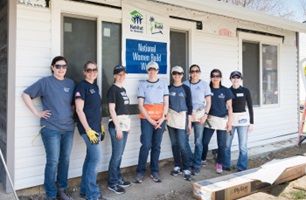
point(208, 49)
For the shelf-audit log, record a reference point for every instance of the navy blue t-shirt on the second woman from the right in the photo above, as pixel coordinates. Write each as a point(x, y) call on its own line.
point(218, 101)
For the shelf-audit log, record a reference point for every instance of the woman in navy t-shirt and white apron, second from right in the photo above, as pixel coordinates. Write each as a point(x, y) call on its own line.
point(219, 117)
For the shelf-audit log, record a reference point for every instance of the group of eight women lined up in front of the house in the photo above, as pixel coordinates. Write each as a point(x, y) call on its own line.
point(180, 106)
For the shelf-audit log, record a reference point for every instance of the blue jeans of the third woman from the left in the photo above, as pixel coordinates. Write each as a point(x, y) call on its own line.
point(114, 174)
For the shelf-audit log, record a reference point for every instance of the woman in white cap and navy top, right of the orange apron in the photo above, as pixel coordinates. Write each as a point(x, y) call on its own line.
point(179, 117)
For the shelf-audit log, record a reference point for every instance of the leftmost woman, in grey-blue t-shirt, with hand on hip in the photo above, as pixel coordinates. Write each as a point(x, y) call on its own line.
point(56, 120)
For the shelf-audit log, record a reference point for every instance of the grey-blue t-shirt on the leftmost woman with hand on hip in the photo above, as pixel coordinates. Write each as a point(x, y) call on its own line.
point(56, 96)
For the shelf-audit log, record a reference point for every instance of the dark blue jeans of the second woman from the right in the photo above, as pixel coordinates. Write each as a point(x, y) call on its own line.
point(221, 140)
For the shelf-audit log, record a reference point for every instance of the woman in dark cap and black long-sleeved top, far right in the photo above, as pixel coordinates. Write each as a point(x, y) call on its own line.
point(242, 122)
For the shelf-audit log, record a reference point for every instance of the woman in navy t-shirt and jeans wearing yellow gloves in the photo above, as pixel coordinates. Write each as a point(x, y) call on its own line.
point(88, 108)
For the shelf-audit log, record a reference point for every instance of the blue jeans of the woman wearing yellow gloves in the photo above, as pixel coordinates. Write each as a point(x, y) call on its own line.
point(89, 185)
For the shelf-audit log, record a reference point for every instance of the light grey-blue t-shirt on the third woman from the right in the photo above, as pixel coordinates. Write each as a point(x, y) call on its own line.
point(199, 91)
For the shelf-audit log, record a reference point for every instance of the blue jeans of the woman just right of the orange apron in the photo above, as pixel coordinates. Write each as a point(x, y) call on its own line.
point(180, 151)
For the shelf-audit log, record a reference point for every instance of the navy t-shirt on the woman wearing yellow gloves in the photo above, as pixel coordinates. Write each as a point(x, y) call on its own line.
point(89, 93)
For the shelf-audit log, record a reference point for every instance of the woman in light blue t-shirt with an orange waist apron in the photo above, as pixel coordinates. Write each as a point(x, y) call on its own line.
point(153, 100)
